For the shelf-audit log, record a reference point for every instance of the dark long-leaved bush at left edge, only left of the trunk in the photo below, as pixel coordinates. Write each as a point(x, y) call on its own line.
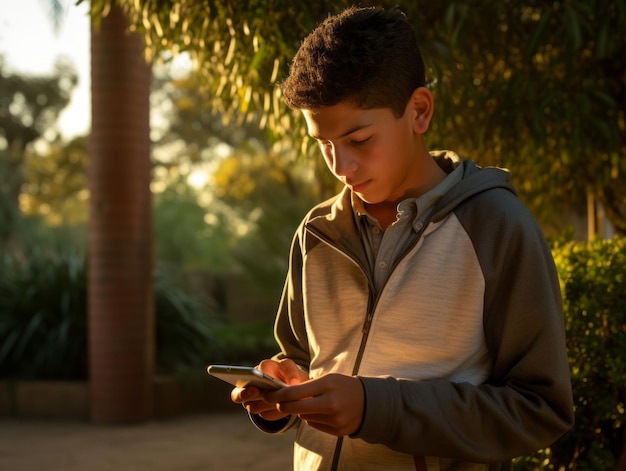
point(43, 303)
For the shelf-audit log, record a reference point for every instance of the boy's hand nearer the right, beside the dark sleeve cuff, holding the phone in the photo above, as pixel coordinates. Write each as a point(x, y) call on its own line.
point(332, 403)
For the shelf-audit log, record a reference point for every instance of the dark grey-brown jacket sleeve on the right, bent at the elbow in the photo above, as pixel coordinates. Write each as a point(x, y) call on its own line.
point(527, 402)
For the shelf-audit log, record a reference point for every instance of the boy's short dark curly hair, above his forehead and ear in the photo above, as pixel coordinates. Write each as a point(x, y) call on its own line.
point(367, 55)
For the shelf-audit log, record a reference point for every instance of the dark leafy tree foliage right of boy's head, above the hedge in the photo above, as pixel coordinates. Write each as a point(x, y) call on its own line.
point(539, 88)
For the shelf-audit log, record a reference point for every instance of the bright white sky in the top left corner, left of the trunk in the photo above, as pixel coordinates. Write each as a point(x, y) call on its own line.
point(30, 45)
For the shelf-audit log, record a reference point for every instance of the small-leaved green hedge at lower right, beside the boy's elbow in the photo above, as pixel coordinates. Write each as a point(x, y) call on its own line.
point(592, 279)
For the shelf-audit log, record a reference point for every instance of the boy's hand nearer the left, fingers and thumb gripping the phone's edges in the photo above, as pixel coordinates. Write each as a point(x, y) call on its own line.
point(253, 399)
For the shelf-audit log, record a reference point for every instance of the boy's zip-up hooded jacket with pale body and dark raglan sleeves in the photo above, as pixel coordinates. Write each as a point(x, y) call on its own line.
point(461, 354)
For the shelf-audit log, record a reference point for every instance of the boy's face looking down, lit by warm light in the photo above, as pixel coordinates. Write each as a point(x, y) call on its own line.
point(376, 154)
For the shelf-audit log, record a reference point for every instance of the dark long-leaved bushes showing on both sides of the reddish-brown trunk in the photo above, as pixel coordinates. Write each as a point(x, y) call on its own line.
point(43, 320)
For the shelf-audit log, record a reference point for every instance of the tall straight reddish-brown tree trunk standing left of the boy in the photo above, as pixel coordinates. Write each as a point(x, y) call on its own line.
point(121, 319)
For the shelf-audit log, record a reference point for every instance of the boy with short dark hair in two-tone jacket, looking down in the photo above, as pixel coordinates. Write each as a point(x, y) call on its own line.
point(420, 325)
